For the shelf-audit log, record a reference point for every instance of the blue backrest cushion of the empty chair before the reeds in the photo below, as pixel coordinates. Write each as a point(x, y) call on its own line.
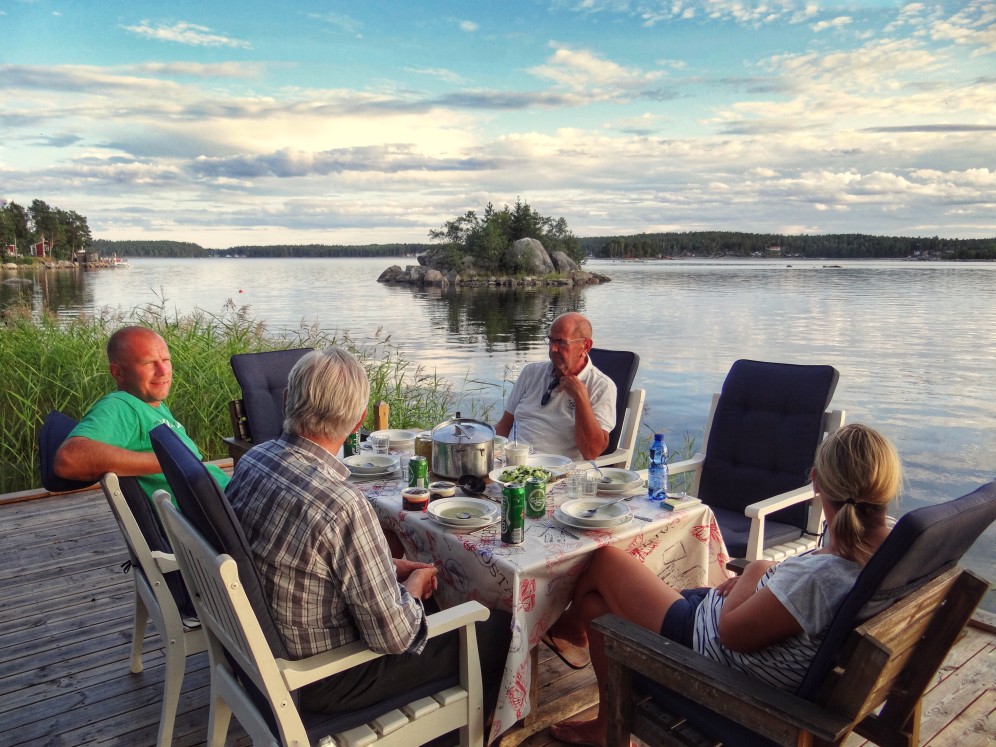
point(263, 379)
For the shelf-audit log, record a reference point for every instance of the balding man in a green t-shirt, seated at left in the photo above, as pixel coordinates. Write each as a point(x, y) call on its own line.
point(114, 434)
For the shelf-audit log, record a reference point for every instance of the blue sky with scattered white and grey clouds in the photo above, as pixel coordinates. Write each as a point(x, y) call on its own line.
point(244, 123)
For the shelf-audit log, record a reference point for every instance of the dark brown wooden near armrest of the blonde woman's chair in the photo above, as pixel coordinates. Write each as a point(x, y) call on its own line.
point(776, 714)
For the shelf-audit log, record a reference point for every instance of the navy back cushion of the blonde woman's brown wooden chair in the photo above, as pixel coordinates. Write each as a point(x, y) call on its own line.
point(925, 543)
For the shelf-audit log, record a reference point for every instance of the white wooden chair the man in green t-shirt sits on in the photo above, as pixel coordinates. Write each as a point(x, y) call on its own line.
point(159, 590)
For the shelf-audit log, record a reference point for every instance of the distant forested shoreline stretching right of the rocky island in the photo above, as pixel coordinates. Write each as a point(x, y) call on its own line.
point(827, 246)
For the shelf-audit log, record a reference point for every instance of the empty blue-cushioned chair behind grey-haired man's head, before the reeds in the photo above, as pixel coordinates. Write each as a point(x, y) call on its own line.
point(259, 415)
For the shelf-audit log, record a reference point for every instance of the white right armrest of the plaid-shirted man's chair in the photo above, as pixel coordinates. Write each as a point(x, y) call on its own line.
point(303, 672)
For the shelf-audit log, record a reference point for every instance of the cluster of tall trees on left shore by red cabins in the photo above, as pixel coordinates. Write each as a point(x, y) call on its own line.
point(64, 231)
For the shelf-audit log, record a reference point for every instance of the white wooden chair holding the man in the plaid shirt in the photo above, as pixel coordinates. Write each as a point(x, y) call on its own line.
point(252, 674)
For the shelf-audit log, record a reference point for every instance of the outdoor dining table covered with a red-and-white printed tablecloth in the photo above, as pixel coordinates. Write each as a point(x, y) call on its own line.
point(534, 580)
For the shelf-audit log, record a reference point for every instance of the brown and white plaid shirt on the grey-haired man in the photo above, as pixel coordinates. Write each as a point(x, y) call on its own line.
point(321, 552)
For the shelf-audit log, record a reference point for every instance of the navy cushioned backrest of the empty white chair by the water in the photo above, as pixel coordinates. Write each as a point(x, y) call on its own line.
point(764, 433)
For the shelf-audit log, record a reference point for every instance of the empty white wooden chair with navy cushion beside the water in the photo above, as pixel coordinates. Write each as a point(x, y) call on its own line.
point(759, 444)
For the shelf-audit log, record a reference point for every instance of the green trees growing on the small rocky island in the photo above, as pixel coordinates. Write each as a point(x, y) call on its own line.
point(486, 244)
